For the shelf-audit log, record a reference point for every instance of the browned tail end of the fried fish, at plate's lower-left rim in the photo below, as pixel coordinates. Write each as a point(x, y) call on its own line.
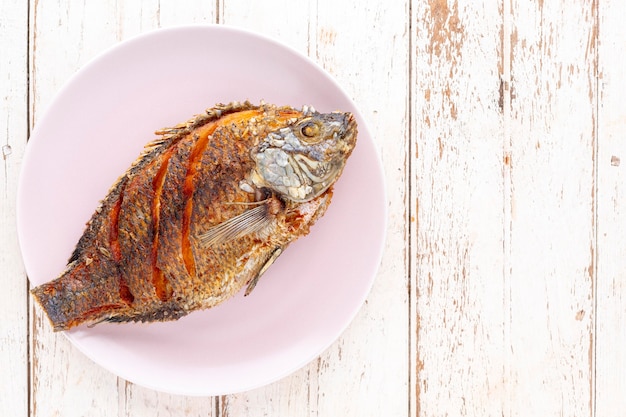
point(78, 297)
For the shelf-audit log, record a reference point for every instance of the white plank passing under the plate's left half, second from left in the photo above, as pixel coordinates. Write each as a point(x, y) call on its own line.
point(64, 382)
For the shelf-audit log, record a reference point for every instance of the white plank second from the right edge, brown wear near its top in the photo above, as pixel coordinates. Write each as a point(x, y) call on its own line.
point(551, 277)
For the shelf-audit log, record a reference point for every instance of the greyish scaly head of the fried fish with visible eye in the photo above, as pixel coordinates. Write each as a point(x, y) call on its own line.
point(303, 159)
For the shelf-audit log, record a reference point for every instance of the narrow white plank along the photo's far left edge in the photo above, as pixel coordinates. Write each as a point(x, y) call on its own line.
point(13, 133)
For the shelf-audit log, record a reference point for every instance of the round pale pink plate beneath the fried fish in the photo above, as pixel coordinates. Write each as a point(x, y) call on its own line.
point(97, 126)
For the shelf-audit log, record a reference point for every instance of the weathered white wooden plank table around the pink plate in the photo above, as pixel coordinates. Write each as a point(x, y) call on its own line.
point(501, 126)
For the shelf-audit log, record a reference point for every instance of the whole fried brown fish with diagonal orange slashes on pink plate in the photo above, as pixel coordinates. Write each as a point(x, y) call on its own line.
point(203, 212)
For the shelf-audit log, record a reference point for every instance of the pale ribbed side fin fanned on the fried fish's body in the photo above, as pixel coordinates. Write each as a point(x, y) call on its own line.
point(249, 221)
